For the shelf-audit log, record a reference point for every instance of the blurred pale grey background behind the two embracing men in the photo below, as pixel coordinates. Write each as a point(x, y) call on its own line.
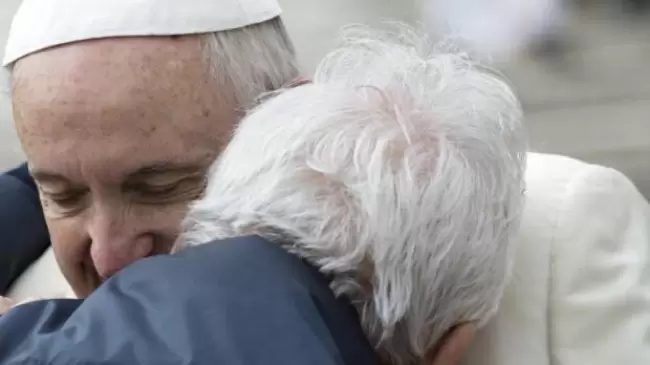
point(581, 67)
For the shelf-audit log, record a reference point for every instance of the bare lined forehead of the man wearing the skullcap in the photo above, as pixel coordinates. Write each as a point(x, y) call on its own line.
point(119, 102)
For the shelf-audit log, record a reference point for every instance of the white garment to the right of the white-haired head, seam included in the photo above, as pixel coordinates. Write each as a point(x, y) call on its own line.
point(580, 293)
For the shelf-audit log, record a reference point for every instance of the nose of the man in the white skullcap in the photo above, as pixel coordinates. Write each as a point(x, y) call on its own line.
point(116, 244)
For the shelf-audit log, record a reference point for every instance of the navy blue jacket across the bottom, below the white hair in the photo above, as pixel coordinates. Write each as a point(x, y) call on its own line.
point(238, 301)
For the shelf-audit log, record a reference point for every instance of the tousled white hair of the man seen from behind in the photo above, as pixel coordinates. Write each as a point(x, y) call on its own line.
point(399, 172)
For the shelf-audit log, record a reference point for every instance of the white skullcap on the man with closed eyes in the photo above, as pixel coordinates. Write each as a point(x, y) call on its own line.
point(40, 24)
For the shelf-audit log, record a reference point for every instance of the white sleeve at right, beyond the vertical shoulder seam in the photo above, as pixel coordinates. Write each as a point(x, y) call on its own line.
point(599, 302)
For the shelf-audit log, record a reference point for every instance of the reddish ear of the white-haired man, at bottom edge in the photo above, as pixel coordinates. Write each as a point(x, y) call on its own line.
point(453, 345)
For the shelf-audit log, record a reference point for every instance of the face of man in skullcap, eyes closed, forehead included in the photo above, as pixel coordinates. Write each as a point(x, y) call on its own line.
point(118, 135)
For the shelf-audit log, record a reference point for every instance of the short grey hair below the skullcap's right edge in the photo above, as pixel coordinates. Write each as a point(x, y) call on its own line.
point(253, 60)
